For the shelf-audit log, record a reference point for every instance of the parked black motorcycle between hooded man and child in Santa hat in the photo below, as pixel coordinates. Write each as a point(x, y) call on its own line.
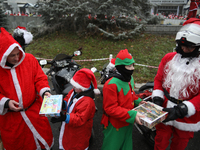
point(62, 69)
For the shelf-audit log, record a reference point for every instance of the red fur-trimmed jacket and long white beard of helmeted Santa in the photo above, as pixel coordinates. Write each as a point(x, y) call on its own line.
point(183, 82)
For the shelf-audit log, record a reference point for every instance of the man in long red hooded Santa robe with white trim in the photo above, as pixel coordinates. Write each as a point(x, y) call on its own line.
point(22, 85)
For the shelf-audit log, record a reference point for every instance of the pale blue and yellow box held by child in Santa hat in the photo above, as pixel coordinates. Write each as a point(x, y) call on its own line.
point(51, 106)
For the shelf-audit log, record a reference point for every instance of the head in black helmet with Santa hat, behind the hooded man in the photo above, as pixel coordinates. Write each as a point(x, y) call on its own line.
point(22, 36)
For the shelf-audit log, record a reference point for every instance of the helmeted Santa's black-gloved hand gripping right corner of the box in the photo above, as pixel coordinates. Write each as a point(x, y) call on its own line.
point(179, 111)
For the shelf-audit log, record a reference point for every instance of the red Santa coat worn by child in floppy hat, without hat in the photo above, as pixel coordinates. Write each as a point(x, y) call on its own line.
point(77, 132)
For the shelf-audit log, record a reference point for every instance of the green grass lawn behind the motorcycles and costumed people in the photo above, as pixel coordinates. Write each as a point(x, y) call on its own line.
point(146, 49)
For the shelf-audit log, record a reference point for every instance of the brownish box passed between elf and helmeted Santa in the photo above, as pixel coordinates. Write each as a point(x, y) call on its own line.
point(153, 113)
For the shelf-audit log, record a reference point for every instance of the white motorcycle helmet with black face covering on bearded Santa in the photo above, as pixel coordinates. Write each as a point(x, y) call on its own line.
point(189, 36)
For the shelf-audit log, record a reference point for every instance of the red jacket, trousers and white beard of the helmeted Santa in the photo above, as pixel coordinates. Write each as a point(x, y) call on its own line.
point(182, 81)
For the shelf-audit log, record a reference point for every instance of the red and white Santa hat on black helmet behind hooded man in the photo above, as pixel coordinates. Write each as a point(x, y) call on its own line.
point(28, 37)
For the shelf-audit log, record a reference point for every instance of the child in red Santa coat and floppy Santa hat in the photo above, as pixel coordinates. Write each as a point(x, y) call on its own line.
point(79, 107)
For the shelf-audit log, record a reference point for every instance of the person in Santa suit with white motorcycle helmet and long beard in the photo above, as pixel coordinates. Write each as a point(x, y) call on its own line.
point(177, 89)
